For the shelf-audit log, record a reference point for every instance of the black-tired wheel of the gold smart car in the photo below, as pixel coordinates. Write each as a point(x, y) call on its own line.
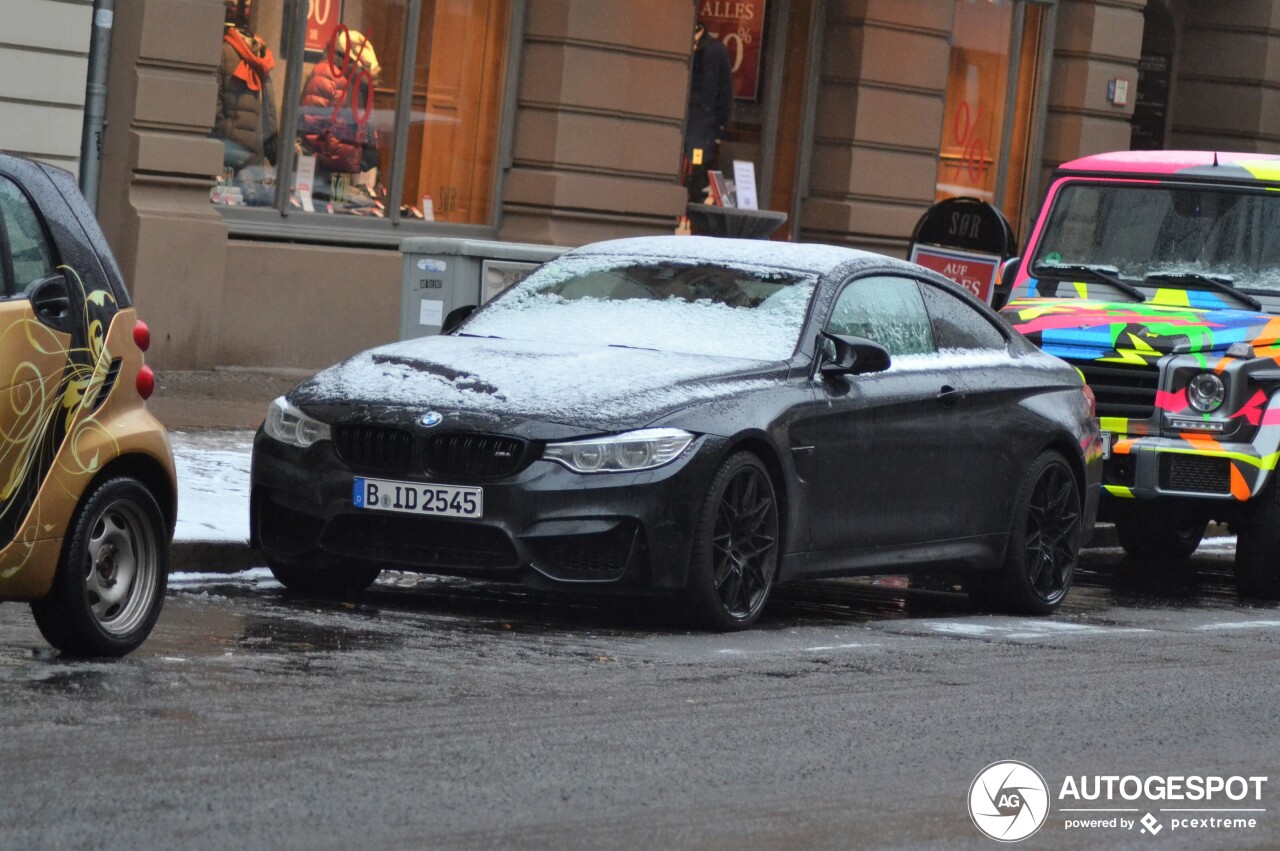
point(112, 575)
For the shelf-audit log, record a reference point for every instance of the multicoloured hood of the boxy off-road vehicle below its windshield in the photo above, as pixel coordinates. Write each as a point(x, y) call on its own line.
point(1084, 330)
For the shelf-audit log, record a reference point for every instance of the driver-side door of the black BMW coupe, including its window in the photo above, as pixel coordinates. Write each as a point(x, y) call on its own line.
point(879, 441)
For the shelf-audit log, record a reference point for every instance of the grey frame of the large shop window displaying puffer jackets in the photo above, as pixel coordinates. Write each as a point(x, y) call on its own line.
point(281, 222)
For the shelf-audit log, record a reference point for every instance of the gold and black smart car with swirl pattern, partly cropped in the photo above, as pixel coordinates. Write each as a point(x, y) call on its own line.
point(88, 495)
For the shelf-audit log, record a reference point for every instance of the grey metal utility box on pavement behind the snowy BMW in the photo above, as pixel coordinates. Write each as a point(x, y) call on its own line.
point(444, 273)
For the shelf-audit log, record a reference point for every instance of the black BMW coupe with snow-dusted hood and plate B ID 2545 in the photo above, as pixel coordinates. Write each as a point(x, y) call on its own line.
point(693, 419)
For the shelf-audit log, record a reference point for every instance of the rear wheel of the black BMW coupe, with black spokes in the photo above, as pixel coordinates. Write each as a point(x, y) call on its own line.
point(1044, 543)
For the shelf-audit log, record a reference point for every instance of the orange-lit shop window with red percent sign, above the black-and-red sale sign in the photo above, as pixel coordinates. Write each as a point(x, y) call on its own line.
point(993, 103)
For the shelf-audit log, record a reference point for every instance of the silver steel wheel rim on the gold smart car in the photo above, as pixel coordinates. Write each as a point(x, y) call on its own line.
point(124, 566)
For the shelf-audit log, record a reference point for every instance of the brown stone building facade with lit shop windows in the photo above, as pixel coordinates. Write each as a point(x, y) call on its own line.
point(258, 205)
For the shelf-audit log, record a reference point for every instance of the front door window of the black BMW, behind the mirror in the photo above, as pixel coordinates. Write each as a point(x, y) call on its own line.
point(886, 310)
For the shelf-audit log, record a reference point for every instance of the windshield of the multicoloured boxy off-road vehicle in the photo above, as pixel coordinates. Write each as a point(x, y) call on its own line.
point(1141, 231)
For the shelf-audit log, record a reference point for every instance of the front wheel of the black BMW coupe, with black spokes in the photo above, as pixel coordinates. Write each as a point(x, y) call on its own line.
point(735, 553)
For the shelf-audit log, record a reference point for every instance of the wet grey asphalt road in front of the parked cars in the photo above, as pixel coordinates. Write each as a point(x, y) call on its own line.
point(441, 713)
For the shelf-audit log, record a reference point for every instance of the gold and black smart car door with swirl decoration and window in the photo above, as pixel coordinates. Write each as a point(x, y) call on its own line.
point(36, 323)
